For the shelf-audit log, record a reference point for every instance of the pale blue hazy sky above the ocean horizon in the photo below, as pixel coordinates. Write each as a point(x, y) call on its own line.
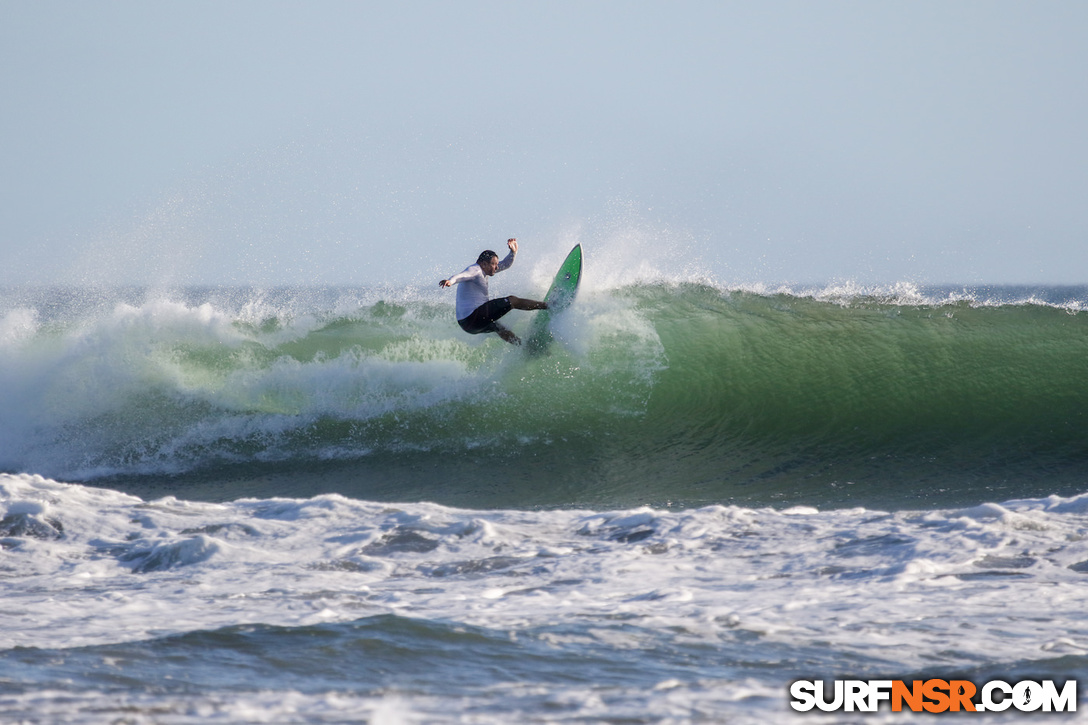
point(258, 142)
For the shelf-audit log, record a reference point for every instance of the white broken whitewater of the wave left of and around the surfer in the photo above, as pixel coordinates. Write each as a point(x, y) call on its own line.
point(165, 387)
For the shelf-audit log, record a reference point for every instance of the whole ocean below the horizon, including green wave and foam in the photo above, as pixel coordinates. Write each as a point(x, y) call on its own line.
point(331, 506)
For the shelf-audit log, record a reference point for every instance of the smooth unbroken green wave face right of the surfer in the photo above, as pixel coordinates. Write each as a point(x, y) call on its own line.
point(806, 399)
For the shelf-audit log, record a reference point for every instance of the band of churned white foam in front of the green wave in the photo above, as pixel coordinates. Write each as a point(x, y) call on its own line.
point(89, 567)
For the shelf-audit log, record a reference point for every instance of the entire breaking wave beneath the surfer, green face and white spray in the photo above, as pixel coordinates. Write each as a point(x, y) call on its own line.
point(657, 394)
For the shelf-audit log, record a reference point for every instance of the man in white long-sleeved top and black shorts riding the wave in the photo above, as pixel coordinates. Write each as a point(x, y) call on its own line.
point(476, 313)
